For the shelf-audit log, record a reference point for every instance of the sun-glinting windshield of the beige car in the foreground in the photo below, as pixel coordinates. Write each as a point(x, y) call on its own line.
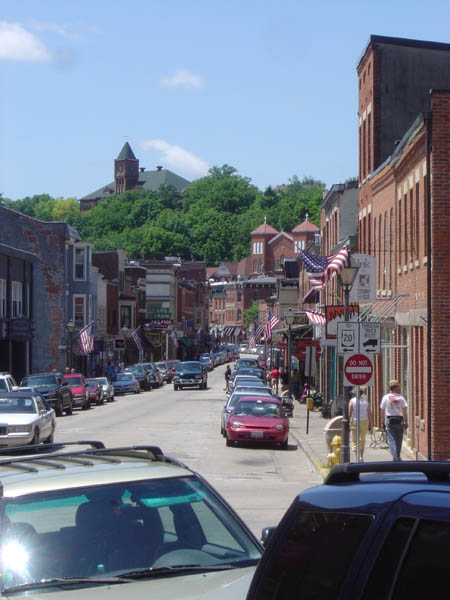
point(109, 530)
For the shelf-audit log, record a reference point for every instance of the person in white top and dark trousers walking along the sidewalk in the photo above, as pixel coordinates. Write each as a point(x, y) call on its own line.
point(393, 408)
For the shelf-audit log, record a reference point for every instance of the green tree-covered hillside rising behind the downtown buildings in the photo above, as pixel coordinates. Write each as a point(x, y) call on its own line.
point(212, 221)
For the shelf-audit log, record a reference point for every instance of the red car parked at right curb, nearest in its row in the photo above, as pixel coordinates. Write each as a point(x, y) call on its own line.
point(258, 419)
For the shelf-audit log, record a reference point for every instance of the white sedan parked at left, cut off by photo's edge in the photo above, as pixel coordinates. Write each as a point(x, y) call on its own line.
point(25, 418)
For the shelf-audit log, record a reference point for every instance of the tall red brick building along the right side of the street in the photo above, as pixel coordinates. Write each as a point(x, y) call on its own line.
point(404, 177)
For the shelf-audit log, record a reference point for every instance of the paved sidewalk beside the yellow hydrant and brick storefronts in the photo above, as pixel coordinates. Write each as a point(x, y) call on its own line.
point(314, 444)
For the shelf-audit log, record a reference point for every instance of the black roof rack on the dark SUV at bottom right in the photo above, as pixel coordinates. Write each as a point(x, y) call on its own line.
point(350, 472)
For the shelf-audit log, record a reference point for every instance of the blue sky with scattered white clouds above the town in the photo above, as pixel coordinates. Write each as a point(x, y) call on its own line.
point(267, 87)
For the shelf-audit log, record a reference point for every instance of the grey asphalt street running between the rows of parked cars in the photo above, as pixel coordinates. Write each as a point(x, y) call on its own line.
point(259, 482)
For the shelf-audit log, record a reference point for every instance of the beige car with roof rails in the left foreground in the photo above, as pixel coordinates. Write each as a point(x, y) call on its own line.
point(133, 524)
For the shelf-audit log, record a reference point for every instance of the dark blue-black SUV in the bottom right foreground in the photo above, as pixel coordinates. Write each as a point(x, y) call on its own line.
point(373, 531)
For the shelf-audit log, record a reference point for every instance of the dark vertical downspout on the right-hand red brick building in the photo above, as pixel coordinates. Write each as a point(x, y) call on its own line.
point(428, 122)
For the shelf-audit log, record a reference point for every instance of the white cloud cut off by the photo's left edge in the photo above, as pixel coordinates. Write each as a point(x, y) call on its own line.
point(16, 43)
